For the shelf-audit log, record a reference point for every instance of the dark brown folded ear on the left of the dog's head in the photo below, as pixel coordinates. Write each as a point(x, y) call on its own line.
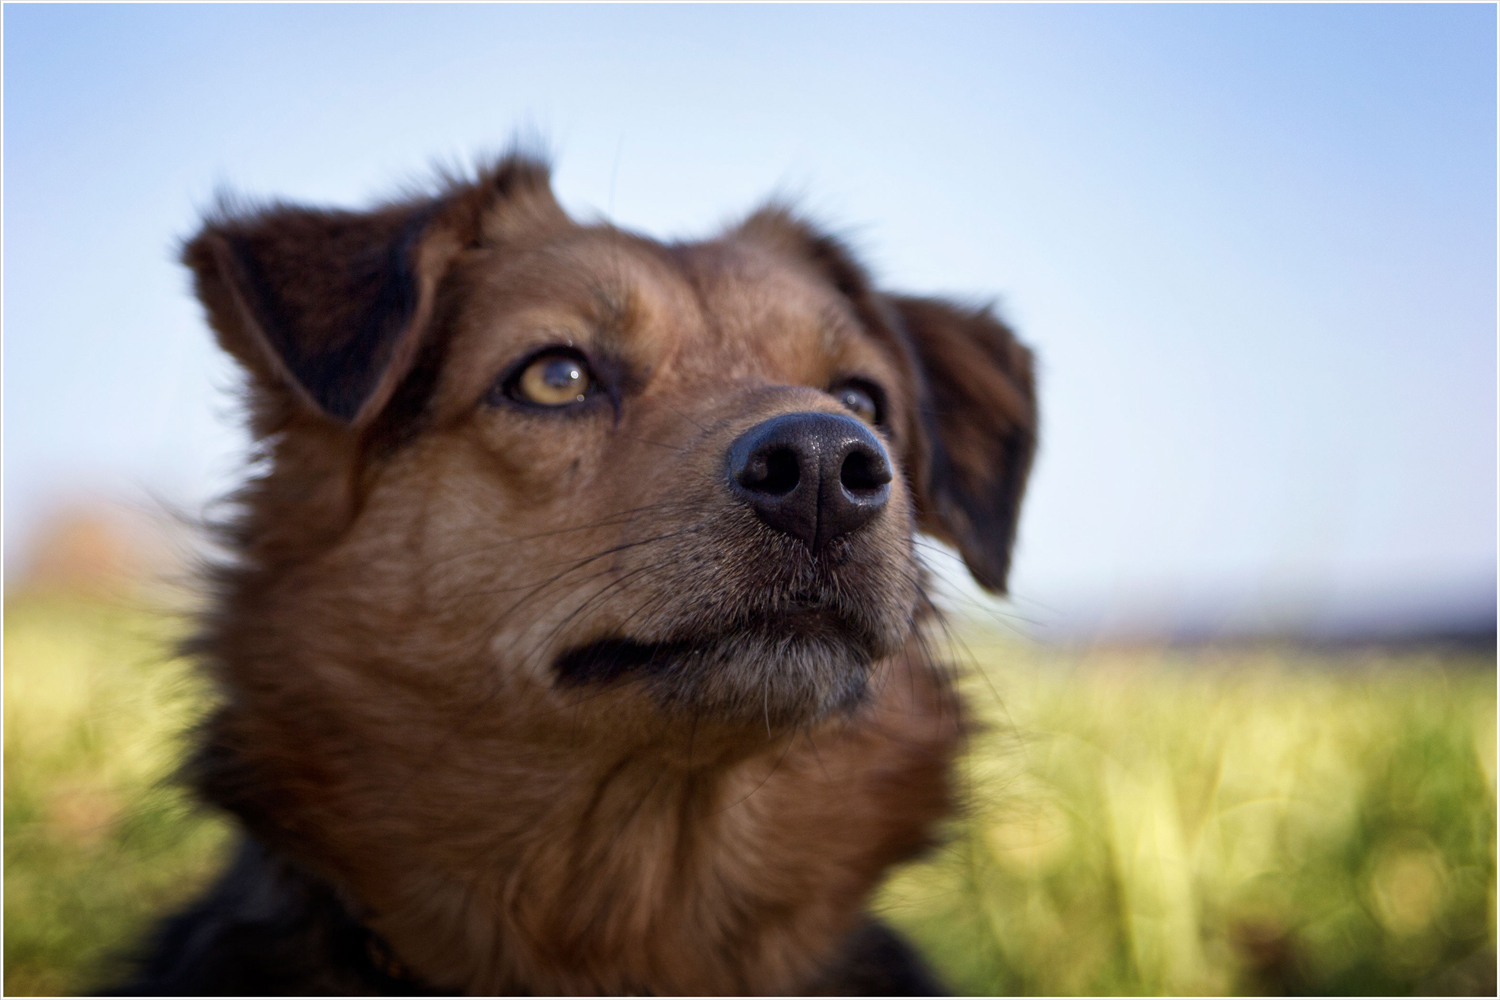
point(334, 307)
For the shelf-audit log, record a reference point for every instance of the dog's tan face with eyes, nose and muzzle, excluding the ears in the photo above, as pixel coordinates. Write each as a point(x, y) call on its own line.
point(679, 467)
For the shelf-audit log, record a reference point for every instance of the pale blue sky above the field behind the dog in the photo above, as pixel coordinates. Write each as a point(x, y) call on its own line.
point(1255, 247)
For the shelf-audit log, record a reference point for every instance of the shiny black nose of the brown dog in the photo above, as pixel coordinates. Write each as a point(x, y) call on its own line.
point(812, 476)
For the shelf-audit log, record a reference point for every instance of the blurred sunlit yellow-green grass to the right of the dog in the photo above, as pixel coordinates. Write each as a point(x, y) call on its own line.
point(1207, 824)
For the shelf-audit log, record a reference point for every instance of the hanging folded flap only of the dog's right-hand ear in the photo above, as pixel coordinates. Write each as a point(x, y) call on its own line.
point(979, 415)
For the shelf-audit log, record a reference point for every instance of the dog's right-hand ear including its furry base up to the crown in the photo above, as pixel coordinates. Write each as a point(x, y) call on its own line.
point(973, 437)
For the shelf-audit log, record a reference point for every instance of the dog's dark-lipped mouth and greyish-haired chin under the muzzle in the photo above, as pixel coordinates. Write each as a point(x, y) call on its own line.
point(785, 672)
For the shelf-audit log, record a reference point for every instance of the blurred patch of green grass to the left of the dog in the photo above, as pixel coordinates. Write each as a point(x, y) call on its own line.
point(97, 842)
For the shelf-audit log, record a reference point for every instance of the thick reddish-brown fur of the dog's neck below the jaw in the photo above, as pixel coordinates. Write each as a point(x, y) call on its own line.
point(557, 860)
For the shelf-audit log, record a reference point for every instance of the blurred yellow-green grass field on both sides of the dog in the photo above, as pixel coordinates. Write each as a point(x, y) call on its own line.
point(1172, 822)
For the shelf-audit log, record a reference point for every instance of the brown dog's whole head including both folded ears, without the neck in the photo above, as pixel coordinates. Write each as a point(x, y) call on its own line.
point(511, 457)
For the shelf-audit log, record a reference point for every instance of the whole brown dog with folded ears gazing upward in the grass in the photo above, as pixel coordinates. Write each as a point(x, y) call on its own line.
point(574, 633)
